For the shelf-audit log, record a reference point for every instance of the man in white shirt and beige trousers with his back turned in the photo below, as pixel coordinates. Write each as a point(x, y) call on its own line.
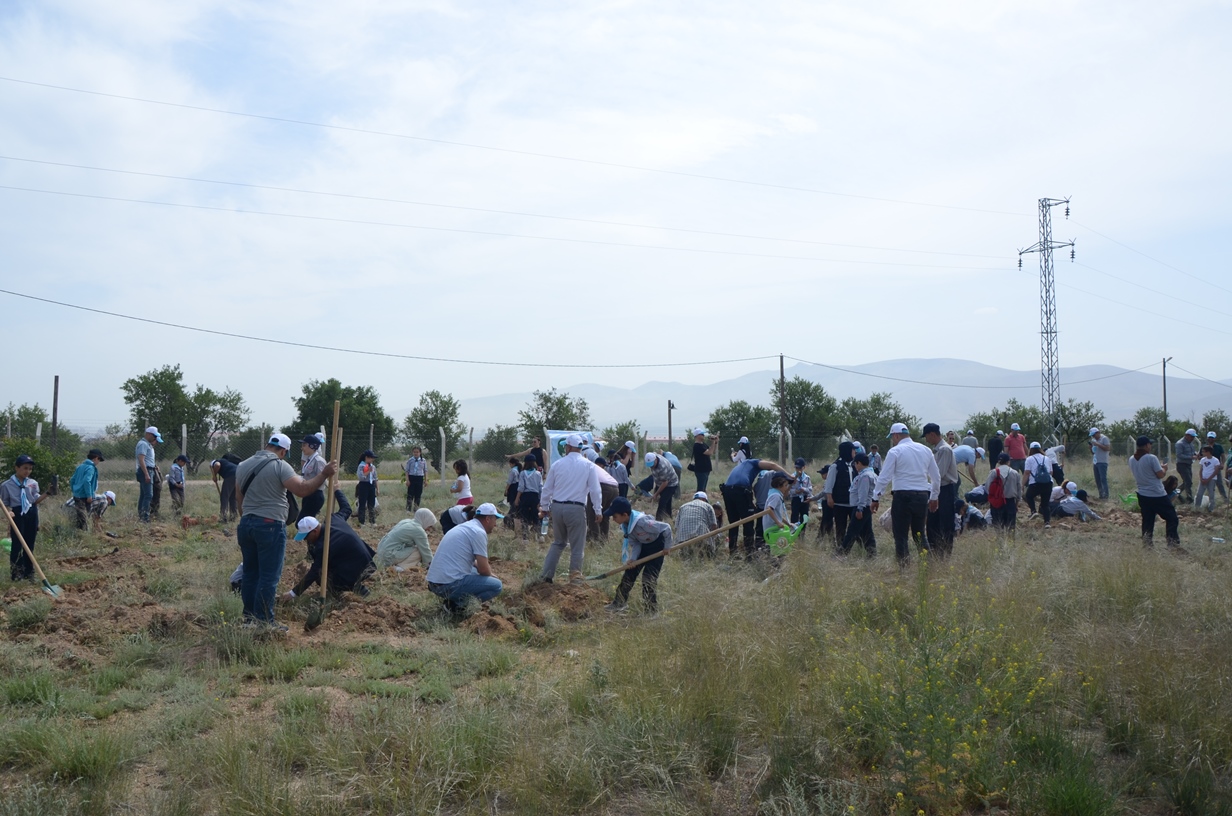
point(570, 484)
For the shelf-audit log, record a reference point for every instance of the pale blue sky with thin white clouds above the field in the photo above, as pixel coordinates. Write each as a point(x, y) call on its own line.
point(609, 184)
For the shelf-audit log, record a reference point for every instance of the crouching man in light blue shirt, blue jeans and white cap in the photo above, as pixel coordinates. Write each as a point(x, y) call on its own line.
point(461, 568)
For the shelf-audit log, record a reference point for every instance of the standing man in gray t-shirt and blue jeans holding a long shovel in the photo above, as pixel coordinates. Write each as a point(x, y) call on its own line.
point(262, 485)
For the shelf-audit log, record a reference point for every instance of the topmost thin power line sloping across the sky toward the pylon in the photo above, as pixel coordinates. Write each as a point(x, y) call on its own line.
point(498, 150)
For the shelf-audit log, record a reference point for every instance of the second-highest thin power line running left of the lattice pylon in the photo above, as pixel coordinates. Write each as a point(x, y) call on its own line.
point(484, 210)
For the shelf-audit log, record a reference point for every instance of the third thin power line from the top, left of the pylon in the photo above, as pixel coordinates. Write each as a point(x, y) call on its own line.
point(484, 232)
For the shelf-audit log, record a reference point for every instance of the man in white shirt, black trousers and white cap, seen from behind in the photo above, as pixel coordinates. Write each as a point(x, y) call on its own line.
point(911, 469)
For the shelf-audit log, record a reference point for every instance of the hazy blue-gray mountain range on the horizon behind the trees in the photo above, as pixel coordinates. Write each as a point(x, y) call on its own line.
point(943, 391)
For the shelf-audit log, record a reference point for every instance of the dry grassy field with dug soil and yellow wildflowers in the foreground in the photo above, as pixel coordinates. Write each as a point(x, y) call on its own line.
point(1063, 674)
